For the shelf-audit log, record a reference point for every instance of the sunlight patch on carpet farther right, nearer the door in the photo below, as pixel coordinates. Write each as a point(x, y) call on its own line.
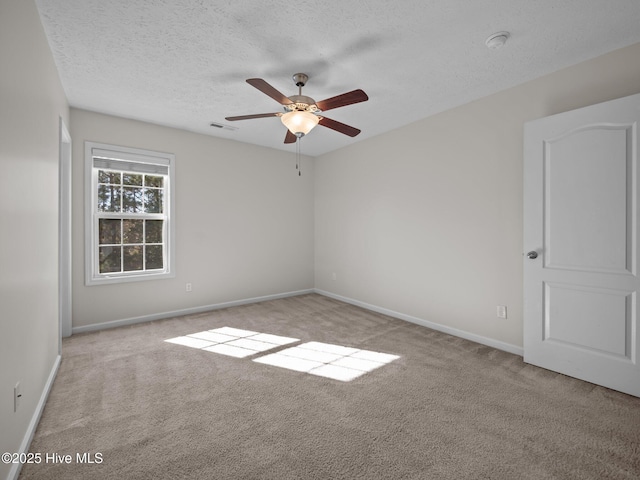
point(327, 360)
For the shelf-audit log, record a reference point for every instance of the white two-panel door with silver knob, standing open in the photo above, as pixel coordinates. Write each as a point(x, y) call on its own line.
point(581, 261)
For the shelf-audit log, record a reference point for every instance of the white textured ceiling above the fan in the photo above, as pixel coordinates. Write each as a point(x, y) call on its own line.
point(183, 63)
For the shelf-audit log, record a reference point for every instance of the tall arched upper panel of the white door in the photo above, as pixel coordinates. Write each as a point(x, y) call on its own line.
point(587, 224)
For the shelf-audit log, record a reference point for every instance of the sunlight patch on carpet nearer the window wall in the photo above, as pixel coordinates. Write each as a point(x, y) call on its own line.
point(233, 342)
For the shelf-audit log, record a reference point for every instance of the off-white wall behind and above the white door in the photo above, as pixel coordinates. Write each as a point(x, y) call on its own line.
point(426, 221)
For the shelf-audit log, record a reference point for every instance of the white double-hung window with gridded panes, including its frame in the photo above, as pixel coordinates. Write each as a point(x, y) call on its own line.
point(128, 222)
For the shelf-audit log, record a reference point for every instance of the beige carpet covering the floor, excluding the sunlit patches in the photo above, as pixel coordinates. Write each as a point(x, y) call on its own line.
point(446, 409)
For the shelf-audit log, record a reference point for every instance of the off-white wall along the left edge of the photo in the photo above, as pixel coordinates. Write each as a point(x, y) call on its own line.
point(31, 103)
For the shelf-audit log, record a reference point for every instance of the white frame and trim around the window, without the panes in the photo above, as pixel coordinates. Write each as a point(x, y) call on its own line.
point(132, 156)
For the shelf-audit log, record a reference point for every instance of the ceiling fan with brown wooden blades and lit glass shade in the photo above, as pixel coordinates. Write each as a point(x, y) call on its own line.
point(302, 113)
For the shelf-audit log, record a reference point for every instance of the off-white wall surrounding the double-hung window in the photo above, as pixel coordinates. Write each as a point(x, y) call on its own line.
point(244, 223)
